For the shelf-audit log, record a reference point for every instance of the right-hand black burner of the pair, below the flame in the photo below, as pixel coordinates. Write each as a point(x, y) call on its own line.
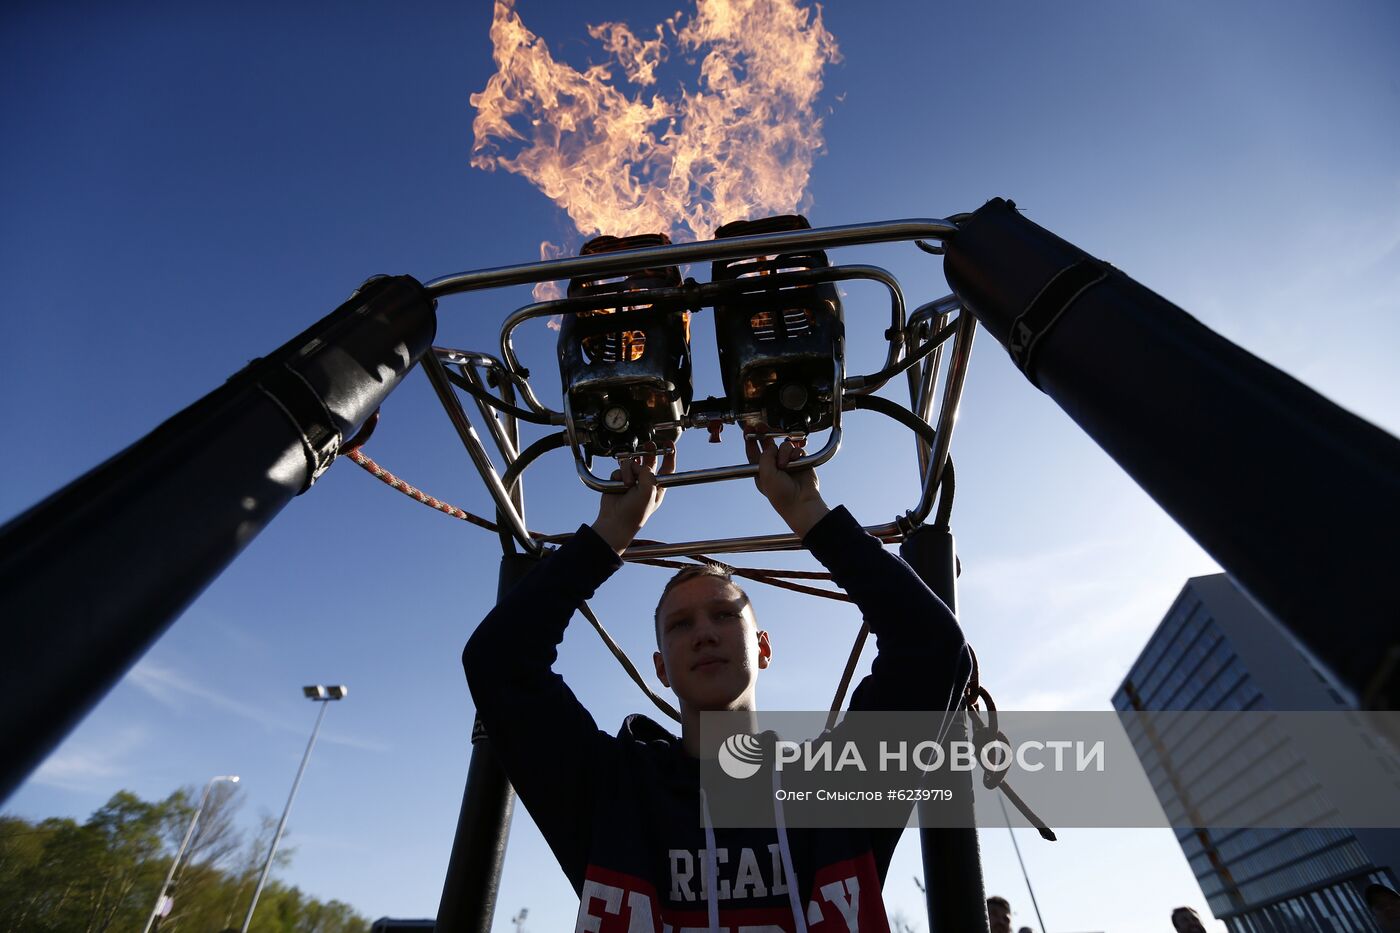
point(780, 347)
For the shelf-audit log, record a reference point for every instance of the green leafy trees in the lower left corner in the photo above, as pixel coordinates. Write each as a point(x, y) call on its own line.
point(104, 875)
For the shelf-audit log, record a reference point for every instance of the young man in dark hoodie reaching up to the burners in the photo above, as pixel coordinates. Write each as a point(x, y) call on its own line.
point(622, 813)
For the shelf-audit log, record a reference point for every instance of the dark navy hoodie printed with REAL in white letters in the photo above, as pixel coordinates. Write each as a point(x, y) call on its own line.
point(622, 812)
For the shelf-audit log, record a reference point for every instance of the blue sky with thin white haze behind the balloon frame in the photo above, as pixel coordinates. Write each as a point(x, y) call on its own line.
point(185, 187)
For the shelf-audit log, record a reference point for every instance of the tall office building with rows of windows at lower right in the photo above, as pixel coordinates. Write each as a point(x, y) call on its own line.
point(1217, 652)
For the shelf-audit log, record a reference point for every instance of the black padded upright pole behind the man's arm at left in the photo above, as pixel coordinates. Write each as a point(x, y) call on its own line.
point(474, 871)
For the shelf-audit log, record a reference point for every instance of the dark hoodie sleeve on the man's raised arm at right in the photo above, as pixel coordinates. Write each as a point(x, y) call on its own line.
point(920, 658)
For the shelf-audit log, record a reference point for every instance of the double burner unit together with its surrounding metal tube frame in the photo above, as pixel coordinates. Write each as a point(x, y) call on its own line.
point(626, 375)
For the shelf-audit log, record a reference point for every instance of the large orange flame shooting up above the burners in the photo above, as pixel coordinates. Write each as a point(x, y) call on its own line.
point(738, 145)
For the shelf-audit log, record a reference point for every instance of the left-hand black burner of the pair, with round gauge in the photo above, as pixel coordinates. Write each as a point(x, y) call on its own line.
point(624, 361)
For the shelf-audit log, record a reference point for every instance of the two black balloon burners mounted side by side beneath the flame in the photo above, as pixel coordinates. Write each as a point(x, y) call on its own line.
point(625, 347)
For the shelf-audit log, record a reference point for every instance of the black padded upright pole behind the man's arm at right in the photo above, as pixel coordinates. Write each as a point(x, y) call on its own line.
point(954, 887)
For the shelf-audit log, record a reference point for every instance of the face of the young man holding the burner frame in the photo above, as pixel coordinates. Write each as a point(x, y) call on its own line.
point(712, 649)
